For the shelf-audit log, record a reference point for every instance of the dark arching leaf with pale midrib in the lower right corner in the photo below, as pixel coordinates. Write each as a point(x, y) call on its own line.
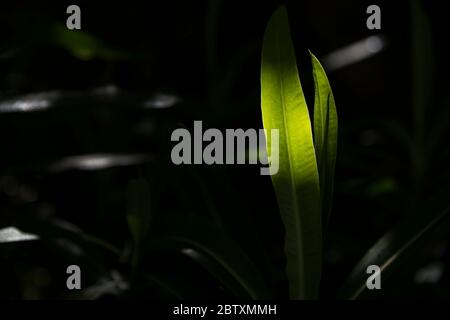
point(393, 248)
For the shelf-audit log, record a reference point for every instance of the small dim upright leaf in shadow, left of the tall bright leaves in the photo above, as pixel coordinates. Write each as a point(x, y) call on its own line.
point(138, 214)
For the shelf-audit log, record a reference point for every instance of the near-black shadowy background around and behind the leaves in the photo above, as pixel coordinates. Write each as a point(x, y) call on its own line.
point(206, 57)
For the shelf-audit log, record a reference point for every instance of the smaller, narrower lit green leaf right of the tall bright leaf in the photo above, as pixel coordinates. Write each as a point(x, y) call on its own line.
point(325, 136)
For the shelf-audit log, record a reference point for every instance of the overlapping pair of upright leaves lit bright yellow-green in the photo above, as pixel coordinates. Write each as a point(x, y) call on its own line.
point(305, 169)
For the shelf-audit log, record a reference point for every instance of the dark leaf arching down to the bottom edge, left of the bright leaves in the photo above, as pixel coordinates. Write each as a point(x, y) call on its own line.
point(212, 248)
